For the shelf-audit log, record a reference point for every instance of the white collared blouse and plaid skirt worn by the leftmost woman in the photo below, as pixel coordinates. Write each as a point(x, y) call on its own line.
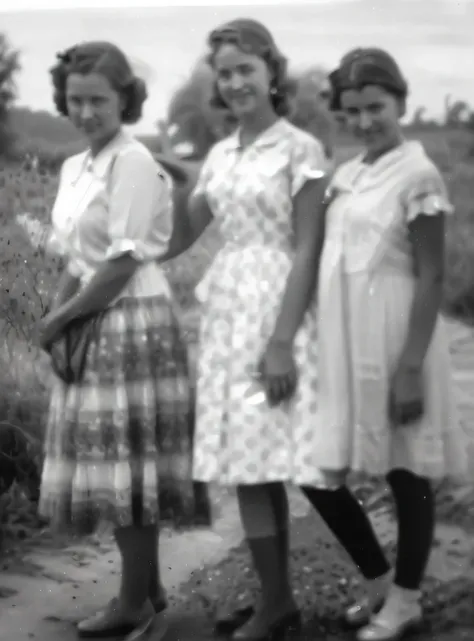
point(113, 439)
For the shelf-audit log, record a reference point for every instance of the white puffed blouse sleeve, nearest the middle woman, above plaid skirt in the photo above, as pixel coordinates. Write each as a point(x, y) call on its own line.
point(140, 208)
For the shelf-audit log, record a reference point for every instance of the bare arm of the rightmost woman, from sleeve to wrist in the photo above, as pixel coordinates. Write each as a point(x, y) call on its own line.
point(426, 234)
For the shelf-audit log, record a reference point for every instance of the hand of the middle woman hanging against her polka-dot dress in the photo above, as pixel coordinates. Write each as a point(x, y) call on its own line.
point(278, 373)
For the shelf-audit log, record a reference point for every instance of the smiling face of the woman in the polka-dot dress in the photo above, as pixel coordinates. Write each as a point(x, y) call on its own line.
point(243, 80)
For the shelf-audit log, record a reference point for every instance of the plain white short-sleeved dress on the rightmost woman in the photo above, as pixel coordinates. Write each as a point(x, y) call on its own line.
point(366, 289)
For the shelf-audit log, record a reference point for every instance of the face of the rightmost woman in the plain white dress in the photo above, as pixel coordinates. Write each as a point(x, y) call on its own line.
point(372, 114)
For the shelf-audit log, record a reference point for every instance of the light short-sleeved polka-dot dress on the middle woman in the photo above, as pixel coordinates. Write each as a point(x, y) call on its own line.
point(250, 192)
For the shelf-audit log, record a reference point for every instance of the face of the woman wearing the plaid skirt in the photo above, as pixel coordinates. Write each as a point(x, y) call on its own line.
point(94, 107)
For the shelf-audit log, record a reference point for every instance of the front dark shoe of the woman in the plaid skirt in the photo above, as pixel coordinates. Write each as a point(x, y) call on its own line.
point(110, 622)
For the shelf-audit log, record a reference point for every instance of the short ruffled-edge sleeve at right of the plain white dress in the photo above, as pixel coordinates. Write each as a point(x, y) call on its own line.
point(426, 194)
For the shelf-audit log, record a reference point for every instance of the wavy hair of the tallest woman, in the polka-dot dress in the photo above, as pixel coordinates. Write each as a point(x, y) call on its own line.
point(252, 37)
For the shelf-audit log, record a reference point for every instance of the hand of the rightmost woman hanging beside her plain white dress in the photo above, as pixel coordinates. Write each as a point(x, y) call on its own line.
point(406, 394)
